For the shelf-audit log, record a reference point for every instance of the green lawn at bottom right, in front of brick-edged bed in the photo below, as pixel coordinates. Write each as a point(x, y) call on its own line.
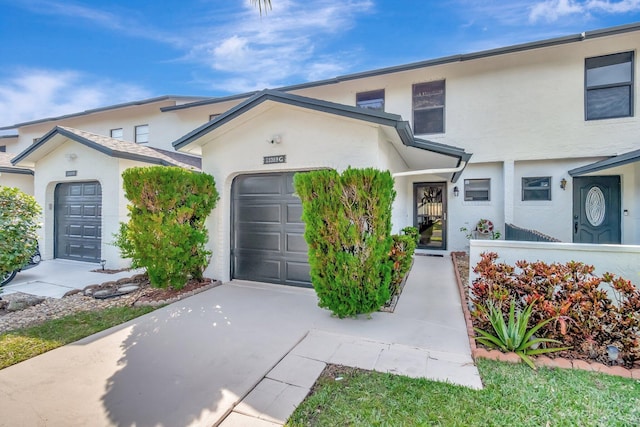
point(514, 395)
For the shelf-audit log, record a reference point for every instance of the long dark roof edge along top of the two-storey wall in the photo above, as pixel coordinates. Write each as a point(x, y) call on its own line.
point(574, 38)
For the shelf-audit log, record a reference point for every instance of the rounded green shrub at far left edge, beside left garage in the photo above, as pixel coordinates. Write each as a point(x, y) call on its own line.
point(18, 228)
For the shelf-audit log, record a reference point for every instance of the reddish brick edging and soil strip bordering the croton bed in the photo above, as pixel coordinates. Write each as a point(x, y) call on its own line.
point(575, 358)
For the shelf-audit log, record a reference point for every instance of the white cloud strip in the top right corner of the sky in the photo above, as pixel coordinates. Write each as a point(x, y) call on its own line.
point(552, 10)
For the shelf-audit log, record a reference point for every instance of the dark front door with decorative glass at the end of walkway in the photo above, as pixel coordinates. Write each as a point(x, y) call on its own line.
point(430, 214)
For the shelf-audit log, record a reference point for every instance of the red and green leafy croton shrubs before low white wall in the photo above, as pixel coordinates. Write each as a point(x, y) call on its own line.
point(584, 315)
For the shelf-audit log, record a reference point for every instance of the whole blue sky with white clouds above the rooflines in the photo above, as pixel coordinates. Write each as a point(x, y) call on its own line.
point(60, 57)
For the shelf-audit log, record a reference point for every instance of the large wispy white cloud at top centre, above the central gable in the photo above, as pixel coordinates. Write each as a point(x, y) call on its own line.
point(255, 52)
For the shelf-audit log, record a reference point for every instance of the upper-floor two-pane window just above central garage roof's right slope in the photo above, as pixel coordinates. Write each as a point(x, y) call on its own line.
point(428, 107)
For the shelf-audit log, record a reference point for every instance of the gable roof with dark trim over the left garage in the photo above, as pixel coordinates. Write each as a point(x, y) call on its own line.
point(109, 146)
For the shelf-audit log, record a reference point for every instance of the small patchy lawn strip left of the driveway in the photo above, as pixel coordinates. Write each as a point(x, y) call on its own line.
point(23, 344)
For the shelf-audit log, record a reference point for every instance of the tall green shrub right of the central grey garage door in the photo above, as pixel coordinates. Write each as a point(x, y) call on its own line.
point(348, 229)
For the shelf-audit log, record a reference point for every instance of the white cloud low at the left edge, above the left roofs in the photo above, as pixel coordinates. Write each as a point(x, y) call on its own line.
point(31, 94)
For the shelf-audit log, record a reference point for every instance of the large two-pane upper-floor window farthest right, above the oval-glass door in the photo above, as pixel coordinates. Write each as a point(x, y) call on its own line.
point(609, 86)
